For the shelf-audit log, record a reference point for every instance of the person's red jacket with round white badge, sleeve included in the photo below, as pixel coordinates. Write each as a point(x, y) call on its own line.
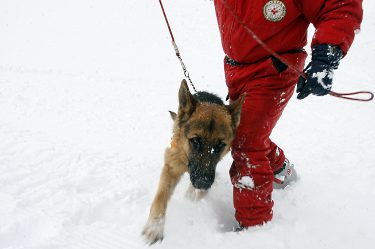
point(282, 25)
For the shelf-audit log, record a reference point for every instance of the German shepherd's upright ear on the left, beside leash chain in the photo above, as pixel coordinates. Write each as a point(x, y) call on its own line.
point(187, 103)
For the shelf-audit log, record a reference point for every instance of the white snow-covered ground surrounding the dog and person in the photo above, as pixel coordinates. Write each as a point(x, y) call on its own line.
point(85, 89)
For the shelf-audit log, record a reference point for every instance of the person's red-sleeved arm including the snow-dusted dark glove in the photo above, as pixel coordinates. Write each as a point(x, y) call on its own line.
point(336, 23)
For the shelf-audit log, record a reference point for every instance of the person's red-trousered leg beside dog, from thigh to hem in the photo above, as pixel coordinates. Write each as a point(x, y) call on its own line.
point(252, 173)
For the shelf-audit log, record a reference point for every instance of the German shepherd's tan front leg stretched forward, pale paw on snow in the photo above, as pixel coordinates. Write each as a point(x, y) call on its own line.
point(154, 228)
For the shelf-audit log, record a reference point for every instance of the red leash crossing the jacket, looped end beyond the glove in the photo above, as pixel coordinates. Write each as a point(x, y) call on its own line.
point(283, 60)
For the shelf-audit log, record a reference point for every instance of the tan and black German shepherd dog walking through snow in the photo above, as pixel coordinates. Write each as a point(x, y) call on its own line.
point(203, 131)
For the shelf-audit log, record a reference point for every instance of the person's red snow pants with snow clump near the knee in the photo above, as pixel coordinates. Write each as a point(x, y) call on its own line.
point(255, 156)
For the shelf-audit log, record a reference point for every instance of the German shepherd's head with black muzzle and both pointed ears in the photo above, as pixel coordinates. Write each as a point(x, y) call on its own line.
point(207, 129)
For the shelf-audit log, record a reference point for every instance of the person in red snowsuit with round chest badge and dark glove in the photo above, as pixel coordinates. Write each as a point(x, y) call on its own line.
point(269, 83)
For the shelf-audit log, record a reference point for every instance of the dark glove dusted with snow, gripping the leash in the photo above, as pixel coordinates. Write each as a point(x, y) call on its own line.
point(325, 58)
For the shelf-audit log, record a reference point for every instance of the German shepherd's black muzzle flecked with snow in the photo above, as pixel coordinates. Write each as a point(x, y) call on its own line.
point(202, 176)
